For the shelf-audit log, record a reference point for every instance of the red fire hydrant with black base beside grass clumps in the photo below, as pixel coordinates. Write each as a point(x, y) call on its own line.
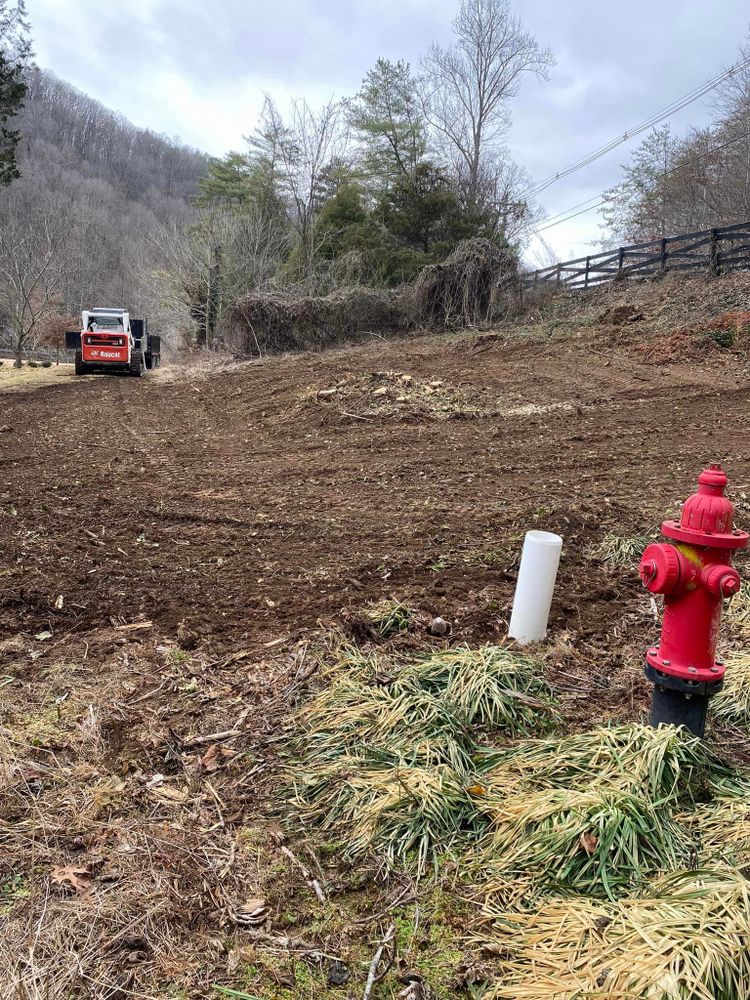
point(694, 575)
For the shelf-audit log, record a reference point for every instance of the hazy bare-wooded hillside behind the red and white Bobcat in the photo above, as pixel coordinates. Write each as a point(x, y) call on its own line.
point(94, 195)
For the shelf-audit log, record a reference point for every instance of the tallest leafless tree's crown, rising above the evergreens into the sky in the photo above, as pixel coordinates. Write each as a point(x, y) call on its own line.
point(471, 83)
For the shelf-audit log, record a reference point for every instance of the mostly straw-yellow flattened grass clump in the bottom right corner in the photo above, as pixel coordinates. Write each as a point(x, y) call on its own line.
point(685, 937)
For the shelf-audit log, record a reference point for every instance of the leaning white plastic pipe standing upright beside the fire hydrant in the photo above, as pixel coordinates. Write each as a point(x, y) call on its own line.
point(536, 585)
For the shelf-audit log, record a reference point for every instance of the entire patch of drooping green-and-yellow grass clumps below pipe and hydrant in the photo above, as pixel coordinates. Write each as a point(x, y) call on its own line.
point(609, 862)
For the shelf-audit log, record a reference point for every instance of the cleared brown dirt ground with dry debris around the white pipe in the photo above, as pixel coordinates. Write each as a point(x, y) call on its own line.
point(168, 548)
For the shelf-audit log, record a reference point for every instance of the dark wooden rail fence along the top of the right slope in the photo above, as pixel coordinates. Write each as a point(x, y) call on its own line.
point(713, 250)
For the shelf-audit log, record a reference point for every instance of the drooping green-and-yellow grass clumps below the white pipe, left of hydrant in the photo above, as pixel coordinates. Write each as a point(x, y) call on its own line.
point(390, 749)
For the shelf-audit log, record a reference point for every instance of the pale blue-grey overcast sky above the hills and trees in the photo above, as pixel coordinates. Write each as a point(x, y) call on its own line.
point(198, 70)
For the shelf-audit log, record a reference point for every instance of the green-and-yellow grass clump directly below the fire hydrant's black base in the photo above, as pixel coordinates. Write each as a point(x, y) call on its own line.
point(596, 812)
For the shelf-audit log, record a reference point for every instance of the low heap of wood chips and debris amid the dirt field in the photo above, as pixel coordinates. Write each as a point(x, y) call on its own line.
point(396, 394)
